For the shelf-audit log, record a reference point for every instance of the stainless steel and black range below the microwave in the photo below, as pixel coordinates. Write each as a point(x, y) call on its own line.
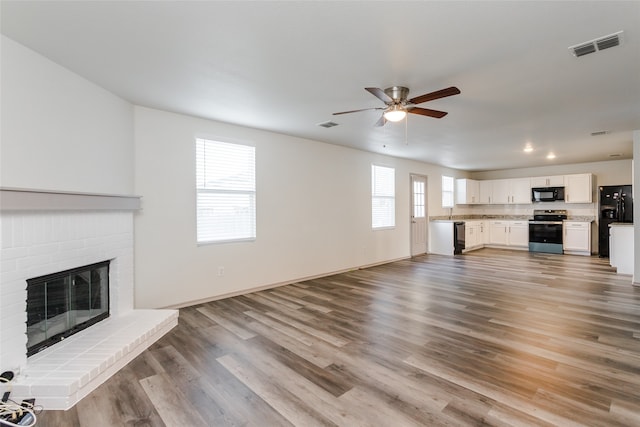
point(545, 231)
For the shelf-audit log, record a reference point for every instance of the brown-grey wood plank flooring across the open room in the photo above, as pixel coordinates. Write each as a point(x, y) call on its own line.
point(493, 337)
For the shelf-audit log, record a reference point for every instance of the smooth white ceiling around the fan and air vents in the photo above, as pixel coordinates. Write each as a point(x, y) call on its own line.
point(286, 66)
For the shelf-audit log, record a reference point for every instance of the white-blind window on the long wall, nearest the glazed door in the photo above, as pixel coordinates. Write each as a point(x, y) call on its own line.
point(383, 197)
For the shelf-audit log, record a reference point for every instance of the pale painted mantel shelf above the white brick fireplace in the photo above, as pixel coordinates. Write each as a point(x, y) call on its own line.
point(17, 199)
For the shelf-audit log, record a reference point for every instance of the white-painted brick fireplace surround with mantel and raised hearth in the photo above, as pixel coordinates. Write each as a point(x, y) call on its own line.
point(42, 233)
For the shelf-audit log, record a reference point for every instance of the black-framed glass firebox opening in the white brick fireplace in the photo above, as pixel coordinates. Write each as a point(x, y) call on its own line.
point(64, 303)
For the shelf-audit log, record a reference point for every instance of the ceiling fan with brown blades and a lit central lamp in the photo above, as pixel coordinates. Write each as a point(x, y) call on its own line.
point(397, 104)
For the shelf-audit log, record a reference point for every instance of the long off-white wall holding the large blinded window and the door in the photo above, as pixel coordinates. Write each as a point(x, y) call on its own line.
point(313, 211)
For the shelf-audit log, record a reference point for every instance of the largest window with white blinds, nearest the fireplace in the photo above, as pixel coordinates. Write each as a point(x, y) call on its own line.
point(226, 191)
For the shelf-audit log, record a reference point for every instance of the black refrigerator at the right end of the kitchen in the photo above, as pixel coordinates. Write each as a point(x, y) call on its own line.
point(616, 205)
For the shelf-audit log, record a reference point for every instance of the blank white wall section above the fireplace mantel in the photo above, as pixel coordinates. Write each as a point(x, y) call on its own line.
point(60, 131)
